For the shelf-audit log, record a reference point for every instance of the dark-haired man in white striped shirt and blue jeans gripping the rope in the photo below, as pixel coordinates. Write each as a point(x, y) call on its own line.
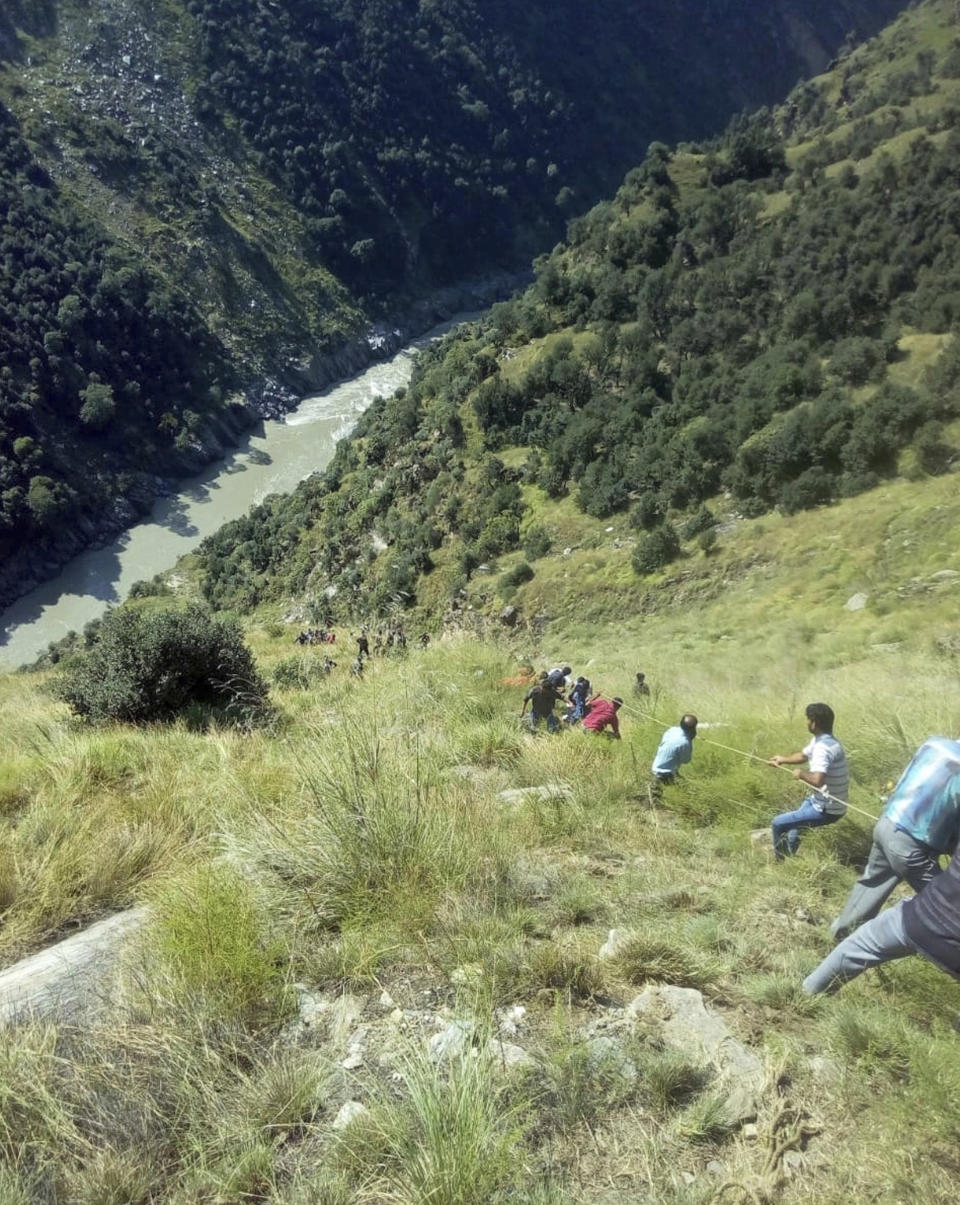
point(827, 772)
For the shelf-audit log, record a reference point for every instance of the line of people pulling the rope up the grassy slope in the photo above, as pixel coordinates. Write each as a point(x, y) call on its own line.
point(920, 825)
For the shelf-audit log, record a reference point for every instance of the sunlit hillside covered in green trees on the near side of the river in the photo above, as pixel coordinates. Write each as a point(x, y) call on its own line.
point(764, 321)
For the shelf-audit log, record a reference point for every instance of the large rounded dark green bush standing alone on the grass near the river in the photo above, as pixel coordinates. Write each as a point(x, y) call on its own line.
point(150, 667)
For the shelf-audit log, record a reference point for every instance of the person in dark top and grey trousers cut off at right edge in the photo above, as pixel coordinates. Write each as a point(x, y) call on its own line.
point(927, 925)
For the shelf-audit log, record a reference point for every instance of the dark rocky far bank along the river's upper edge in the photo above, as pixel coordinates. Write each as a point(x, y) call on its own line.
point(263, 399)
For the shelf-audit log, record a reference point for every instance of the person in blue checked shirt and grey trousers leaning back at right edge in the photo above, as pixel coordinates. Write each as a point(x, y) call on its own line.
point(921, 822)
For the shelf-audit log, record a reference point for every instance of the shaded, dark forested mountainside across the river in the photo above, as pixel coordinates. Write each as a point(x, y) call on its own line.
point(199, 196)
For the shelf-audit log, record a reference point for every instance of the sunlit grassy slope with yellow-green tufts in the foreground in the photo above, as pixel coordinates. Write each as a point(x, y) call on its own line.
point(357, 857)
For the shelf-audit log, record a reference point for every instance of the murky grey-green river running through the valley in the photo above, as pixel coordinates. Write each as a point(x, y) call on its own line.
point(269, 462)
